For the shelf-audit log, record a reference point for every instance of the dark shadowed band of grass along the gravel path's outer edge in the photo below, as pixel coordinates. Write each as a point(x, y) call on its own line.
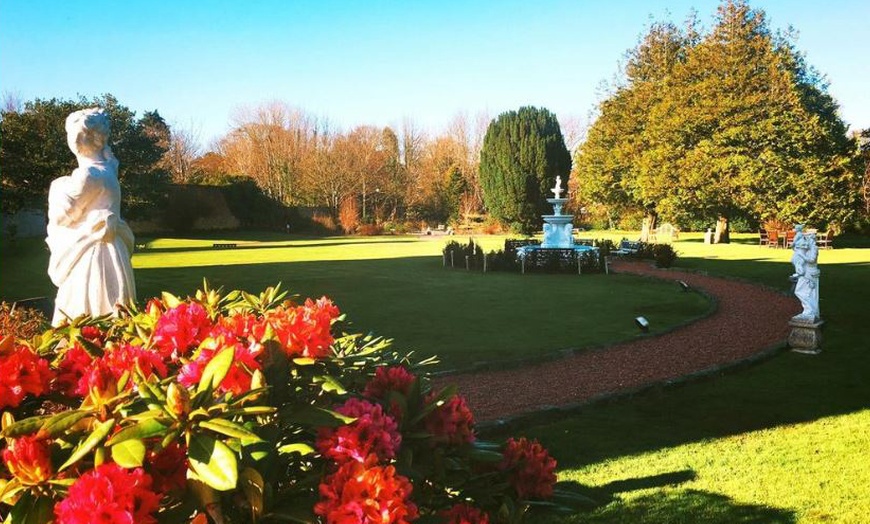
point(786, 389)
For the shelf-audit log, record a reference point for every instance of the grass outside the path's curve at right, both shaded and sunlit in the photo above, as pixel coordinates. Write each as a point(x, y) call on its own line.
point(783, 441)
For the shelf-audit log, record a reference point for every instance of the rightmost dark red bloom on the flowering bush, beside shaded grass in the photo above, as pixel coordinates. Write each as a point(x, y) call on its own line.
point(530, 468)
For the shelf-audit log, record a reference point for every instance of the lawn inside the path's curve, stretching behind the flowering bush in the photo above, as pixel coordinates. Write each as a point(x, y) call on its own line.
point(397, 287)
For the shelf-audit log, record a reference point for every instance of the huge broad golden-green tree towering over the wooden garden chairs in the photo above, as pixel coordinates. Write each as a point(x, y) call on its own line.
point(736, 125)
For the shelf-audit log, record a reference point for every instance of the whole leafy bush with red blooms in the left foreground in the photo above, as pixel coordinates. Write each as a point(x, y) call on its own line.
point(242, 408)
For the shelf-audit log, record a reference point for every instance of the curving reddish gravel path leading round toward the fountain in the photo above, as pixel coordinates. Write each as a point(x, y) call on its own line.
point(749, 320)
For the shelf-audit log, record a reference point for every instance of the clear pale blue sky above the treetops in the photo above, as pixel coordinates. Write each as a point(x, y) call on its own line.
point(373, 62)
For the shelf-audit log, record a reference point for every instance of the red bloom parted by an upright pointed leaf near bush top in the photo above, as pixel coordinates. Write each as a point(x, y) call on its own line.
point(238, 379)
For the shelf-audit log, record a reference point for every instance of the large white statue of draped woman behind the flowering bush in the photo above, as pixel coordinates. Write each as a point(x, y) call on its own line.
point(90, 244)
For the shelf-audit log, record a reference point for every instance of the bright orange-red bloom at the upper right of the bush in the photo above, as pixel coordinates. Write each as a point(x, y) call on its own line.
point(303, 330)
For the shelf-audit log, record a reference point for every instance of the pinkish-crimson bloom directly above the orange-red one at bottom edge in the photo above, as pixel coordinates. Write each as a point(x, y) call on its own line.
point(372, 433)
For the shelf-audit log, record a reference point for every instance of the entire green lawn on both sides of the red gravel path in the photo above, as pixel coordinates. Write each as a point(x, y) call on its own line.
point(783, 441)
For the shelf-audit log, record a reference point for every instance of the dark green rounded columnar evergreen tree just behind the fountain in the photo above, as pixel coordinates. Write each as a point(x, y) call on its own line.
point(522, 154)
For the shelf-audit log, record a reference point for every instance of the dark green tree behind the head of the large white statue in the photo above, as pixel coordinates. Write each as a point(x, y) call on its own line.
point(34, 151)
